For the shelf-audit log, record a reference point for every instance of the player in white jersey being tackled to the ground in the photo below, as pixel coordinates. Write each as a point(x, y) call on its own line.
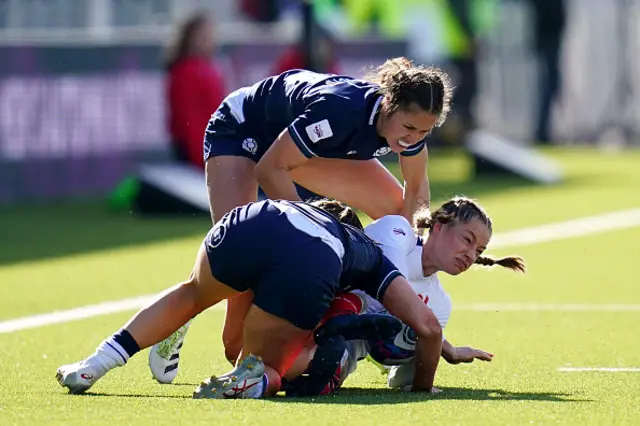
point(459, 233)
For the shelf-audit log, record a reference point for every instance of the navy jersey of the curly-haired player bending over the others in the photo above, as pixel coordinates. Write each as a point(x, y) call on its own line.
point(327, 115)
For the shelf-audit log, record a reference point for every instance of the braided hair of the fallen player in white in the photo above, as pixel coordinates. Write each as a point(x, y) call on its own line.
point(463, 210)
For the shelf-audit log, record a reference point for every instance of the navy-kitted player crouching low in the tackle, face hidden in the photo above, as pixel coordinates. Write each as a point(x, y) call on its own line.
point(293, 257)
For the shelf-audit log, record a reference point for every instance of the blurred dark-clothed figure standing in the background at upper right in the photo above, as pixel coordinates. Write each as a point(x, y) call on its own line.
point(549, 17)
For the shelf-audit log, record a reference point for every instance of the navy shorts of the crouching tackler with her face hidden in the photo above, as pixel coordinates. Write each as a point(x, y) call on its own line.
point(294, 274)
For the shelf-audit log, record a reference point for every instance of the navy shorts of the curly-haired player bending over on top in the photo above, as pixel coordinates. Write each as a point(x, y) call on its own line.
point(228, 134)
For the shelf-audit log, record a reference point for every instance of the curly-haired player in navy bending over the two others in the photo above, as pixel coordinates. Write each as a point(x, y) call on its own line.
point(324, 132)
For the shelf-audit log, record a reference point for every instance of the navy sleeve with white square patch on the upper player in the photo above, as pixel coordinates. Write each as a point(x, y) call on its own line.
point(322, 126)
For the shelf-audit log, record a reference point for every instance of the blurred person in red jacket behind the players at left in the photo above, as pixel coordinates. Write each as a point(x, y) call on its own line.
point(195, 88)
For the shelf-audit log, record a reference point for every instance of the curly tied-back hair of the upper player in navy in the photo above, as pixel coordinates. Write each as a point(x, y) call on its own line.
point(404, 84)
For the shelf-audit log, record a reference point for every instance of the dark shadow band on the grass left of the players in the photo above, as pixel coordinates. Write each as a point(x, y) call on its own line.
point(37, 232)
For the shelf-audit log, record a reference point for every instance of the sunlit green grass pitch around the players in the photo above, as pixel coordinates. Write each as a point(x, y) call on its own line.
point(63, 256)
